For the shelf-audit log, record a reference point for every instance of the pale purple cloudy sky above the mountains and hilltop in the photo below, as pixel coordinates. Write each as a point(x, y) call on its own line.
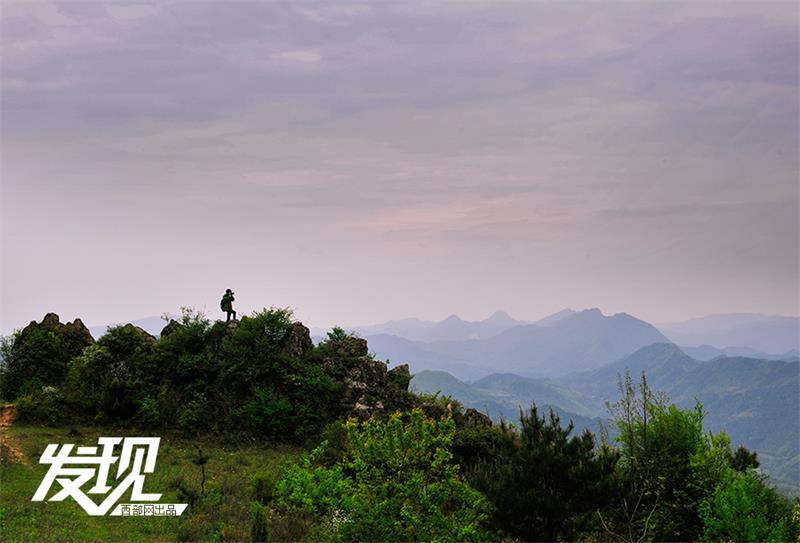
point(360, 162)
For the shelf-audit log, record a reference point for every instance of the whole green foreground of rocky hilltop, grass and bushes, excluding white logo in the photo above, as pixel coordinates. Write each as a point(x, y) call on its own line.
point(383, 464)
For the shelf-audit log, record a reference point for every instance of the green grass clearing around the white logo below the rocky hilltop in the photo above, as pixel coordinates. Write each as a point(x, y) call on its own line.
point(220, 513)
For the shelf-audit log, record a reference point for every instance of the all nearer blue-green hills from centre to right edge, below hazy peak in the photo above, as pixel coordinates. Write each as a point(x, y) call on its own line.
point(744, 397)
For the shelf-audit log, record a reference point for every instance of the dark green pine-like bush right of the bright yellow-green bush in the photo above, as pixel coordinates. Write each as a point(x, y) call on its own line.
point(544, 483)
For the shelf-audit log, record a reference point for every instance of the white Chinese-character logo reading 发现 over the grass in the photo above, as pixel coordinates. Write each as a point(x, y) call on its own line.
point(89, 464)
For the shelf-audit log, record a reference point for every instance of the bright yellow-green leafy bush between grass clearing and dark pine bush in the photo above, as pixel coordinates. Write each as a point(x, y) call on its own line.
point(396, 482)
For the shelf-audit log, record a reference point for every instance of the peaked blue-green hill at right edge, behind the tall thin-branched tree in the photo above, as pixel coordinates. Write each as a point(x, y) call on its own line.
point(754, 401)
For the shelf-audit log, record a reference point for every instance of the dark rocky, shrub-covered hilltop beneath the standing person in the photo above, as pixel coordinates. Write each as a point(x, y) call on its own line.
point(261, 375)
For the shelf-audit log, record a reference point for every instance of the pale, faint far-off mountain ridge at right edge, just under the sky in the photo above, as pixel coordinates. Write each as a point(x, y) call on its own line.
point(764, 333)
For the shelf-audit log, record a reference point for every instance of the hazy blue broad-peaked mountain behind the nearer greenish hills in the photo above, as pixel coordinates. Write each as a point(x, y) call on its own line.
point(563, 343)
